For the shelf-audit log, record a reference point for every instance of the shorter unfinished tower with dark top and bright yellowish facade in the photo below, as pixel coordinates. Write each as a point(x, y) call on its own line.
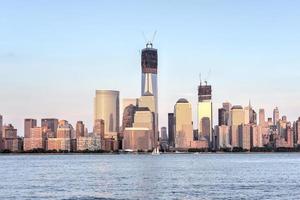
point(205, 113)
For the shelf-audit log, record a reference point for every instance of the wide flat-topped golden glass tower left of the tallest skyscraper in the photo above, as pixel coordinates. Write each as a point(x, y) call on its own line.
point(107, 109)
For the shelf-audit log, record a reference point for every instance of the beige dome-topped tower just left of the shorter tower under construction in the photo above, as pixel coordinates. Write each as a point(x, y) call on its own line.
point(183, 124)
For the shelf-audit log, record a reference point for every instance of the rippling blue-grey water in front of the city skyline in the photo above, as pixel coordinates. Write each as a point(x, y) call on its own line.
point(173, 176)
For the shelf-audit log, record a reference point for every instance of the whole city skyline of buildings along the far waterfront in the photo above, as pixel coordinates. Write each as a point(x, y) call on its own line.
point(237, 127)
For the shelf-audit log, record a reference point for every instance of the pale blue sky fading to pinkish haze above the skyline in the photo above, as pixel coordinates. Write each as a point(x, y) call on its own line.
point(54, 54)
